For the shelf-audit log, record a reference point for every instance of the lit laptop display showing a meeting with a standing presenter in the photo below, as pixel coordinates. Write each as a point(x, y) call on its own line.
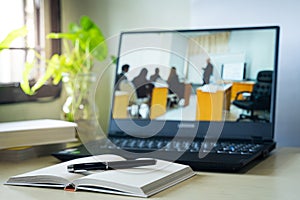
point(215, 75)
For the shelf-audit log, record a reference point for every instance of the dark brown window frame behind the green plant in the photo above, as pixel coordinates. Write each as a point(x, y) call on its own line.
point(11, 92)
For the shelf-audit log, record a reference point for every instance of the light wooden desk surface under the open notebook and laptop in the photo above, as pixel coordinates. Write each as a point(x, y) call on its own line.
point(277, 177)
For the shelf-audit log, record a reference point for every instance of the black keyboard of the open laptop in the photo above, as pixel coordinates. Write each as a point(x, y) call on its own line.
point(237, 148)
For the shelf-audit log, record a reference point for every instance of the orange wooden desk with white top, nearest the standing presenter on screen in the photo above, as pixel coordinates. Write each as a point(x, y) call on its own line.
point(212, 102)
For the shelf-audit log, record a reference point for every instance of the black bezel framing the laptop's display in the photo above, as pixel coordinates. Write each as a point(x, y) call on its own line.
point(230, 129)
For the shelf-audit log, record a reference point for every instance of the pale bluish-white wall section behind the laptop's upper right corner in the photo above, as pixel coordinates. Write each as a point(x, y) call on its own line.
point(211, 13)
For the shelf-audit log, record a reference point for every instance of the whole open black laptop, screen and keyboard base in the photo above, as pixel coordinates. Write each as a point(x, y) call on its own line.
point(163, 108)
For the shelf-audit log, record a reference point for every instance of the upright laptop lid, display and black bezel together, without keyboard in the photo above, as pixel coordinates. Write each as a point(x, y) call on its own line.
point(237, 55)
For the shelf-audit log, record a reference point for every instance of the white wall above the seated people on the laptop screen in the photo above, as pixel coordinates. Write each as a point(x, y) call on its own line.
point(151, 50)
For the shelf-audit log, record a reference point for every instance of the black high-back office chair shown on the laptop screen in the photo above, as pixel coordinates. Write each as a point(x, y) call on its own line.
point(257, 100)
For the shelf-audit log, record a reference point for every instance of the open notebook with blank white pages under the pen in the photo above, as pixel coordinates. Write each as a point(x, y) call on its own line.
point(141, 181)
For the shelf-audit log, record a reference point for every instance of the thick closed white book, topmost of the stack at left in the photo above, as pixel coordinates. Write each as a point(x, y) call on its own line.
point(36, 132)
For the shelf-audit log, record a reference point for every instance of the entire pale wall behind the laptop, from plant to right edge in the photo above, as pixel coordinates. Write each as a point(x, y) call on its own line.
point(114, 16)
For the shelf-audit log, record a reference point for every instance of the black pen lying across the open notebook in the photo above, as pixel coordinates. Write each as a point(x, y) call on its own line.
point(110, 165)
